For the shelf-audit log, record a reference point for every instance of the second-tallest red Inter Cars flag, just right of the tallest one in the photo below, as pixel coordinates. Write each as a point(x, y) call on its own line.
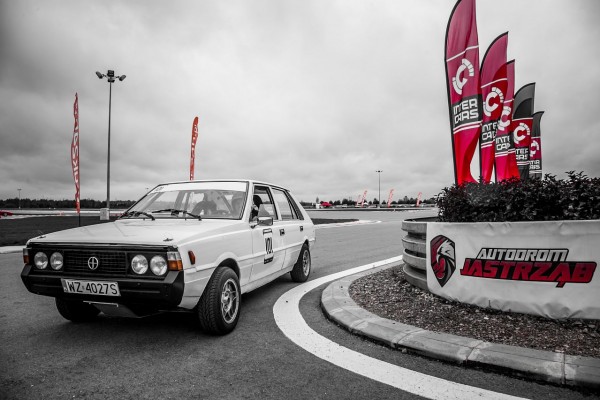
point(493, 89)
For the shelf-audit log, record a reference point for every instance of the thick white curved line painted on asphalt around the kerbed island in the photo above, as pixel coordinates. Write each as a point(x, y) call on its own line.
point(288, 318)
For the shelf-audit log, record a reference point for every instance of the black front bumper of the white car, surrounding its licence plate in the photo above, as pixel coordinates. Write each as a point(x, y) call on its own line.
point(136, 293)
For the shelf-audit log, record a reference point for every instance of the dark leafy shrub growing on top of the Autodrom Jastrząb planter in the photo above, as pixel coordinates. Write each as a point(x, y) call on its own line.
point(548, 199)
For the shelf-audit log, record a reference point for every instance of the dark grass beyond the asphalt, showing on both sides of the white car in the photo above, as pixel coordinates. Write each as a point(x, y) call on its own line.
point(16, 232)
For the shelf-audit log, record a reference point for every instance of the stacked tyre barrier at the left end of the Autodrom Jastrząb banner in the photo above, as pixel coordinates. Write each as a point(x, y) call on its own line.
point(414, 255)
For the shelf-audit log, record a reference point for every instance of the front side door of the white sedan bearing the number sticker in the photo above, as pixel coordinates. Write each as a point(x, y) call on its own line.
point(267, 242)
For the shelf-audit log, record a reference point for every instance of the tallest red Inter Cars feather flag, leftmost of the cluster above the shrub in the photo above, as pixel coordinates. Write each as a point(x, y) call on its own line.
point(464, 92)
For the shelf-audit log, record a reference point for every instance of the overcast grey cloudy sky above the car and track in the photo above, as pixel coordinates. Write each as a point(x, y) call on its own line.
point(312, 95)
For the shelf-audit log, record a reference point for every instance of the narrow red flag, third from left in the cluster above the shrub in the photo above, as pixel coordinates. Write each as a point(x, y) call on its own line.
point(505, 158)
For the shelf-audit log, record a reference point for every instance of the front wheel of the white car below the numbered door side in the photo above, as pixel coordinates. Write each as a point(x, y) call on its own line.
point(219, 307)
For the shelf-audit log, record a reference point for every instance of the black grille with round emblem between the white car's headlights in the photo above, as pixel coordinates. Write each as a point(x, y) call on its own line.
point(109, 262)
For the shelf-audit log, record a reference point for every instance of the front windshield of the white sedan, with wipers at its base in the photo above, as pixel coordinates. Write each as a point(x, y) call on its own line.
point(189, 200)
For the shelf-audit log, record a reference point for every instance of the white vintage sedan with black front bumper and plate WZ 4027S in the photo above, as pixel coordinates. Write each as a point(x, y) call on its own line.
point(196, 246)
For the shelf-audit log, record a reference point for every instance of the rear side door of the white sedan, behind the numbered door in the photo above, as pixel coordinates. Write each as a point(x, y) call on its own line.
point(289, 225)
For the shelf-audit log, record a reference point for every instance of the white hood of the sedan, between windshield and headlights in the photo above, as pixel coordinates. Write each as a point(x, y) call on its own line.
point(160, 232)
